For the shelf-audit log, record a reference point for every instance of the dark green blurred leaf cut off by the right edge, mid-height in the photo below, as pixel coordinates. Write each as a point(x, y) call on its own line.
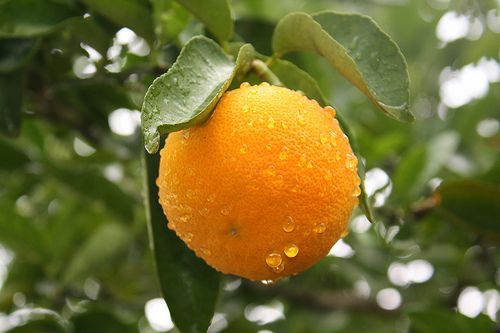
point(472, 203)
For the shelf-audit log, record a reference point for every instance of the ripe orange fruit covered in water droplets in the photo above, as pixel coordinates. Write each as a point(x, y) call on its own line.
point(268, 159)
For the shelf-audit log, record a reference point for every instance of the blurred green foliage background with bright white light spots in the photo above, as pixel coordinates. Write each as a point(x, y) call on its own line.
point(74, 252)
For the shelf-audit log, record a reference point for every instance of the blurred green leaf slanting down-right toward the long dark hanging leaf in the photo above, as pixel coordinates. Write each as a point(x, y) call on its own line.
point(93, 186)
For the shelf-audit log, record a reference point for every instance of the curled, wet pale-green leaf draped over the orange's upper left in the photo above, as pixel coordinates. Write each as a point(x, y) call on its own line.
point(188, 92)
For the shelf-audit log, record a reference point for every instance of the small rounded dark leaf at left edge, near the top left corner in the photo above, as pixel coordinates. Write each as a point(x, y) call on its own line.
point(15, 52)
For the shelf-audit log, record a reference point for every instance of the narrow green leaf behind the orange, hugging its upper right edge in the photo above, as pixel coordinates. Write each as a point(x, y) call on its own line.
point(295, 78)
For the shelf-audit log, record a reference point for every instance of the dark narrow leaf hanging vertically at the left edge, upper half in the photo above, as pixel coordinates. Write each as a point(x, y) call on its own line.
point(11, 100)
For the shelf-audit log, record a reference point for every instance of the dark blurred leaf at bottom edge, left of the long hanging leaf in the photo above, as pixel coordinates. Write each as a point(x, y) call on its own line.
point(99, 321)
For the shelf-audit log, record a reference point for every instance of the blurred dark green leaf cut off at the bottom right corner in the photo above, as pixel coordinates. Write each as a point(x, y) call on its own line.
point(443, 321)
